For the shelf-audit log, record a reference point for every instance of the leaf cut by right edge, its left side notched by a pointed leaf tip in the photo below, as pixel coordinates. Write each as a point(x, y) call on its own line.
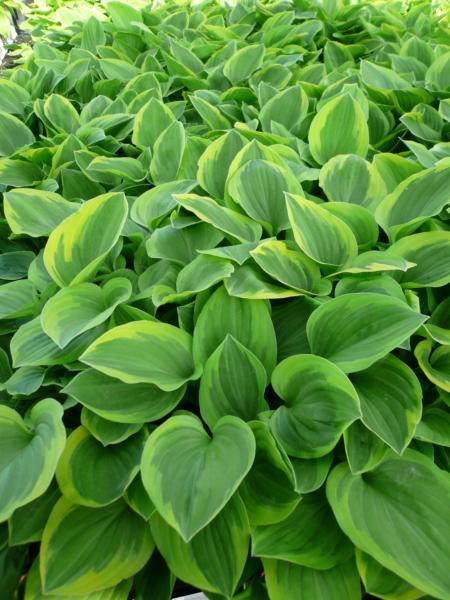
point(429, 251)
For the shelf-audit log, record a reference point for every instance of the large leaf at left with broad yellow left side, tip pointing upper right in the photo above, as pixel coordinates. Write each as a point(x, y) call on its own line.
point(75, 250)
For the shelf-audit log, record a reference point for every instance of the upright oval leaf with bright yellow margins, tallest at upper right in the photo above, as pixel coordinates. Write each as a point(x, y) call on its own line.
point(339, 127)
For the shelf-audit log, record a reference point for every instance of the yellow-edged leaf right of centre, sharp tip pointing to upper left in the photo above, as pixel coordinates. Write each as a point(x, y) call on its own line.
point(322, 236)
